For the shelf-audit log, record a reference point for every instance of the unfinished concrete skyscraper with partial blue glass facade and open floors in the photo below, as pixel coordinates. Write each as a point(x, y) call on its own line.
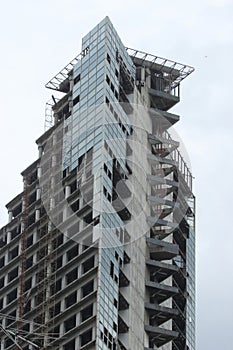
point(99, 250)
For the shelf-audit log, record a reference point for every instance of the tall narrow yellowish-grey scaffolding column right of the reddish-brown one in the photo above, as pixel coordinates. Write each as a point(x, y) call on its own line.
point(47, 252)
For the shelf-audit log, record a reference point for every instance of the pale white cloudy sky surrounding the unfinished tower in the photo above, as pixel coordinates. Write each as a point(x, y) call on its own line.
point(39, 37)
